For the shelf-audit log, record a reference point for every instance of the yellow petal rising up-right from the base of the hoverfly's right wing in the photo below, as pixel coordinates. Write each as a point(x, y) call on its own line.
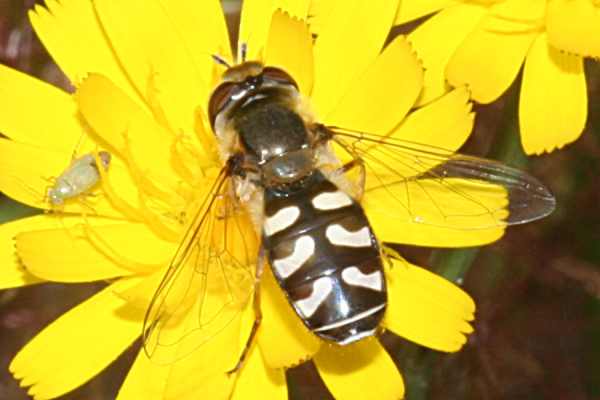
point(382, 96)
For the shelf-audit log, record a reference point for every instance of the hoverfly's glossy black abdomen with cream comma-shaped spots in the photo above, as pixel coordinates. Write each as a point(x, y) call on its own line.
point(326, 259)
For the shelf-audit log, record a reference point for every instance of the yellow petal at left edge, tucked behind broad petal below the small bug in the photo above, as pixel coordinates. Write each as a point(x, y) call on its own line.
point(12, 273)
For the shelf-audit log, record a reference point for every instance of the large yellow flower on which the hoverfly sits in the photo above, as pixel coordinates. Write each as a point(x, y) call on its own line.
point(144, 72)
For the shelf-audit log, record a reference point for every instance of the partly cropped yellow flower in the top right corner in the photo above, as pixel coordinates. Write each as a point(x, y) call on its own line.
point(484, 44)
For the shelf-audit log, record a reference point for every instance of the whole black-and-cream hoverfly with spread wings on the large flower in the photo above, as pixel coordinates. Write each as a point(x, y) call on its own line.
point(293, 176)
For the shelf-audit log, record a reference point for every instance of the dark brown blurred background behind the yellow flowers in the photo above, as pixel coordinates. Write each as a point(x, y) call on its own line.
point(537, 333)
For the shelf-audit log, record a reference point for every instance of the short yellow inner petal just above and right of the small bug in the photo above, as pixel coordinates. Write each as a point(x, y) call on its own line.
point(125, 128)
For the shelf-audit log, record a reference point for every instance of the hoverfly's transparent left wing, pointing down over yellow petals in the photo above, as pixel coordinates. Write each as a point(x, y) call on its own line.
point(209, 280)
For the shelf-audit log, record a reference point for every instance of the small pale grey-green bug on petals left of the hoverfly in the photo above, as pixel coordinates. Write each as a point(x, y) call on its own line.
point(78, 178)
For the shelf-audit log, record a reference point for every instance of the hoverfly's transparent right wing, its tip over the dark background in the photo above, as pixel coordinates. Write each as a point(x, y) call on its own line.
point(433, 186)
